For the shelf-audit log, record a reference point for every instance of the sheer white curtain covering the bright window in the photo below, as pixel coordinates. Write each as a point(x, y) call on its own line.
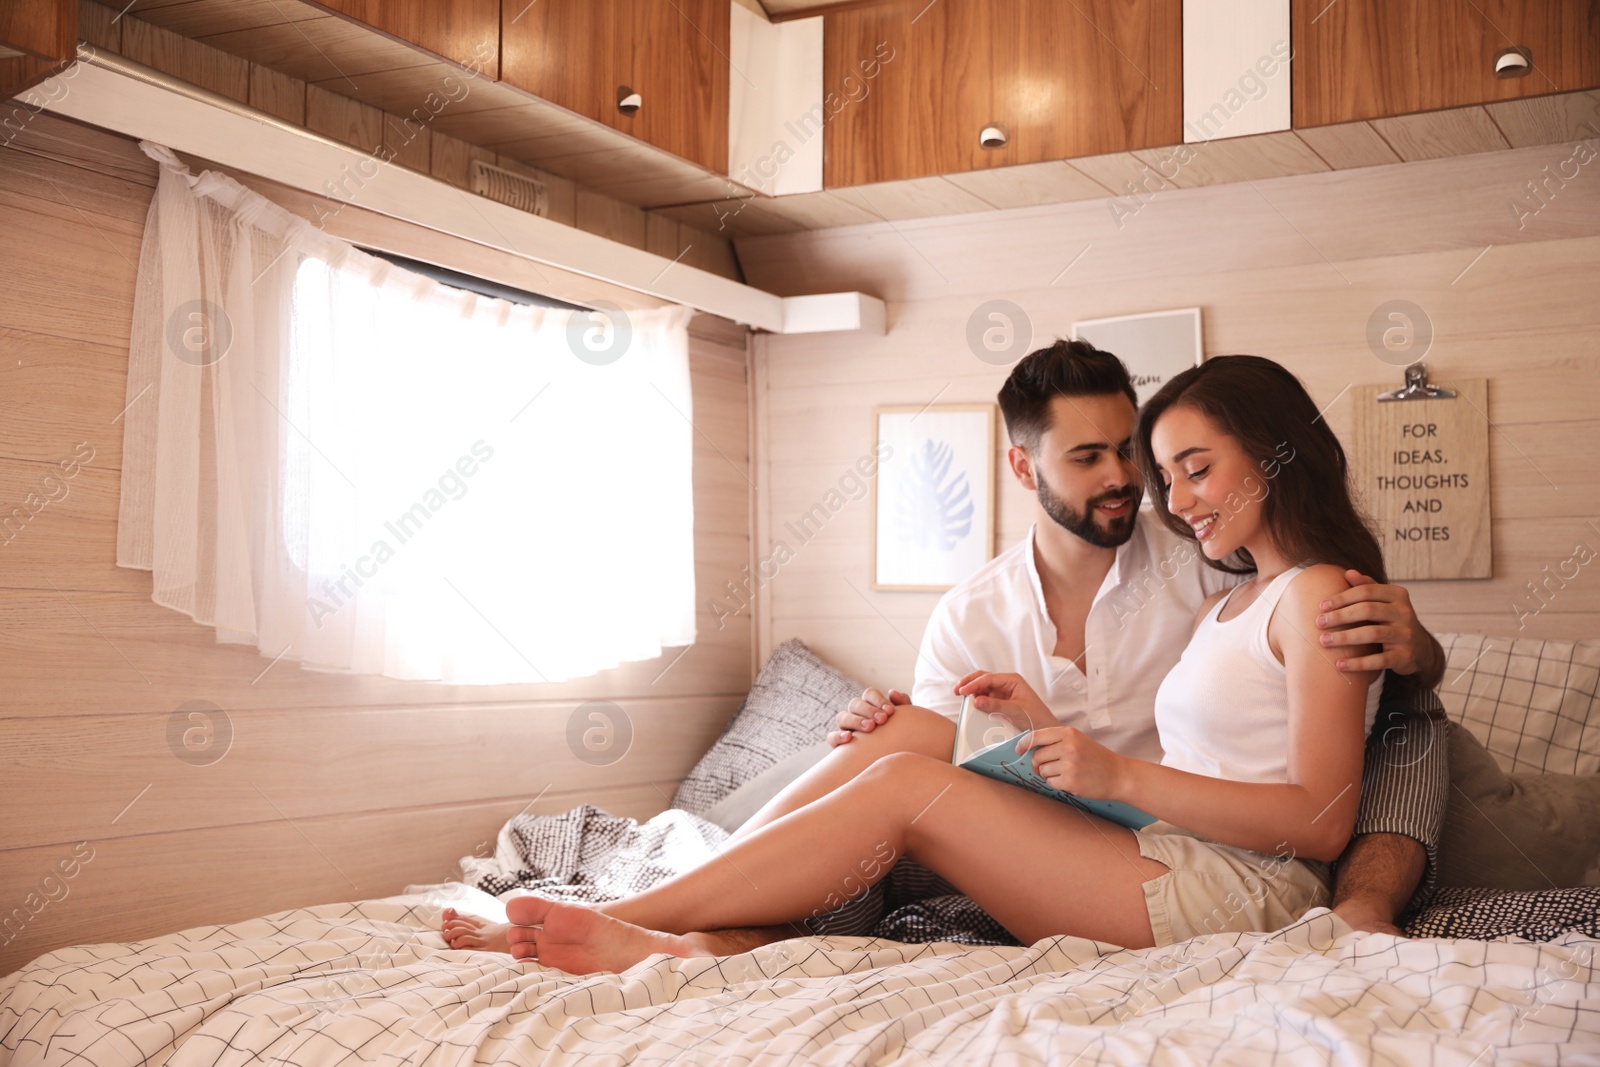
point(348, 465)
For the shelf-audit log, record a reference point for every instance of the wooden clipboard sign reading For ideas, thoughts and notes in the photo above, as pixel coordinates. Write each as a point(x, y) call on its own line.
point(1422, 470)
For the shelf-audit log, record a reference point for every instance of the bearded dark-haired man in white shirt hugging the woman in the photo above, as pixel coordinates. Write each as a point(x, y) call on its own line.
point(1095, 607)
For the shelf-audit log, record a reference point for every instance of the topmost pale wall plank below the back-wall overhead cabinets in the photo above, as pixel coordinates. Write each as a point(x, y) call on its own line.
point(1306, 220)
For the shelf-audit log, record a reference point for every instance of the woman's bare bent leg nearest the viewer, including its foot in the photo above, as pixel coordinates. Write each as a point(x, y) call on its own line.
point(1034, 865)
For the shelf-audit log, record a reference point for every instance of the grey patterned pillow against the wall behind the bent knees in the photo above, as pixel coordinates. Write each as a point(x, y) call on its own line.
point(791, 708)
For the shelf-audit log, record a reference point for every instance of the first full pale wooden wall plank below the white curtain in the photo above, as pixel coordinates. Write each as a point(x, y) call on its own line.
point(82, 772)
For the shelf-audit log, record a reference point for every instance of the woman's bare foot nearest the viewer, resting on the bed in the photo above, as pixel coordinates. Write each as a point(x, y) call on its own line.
point(578, 940)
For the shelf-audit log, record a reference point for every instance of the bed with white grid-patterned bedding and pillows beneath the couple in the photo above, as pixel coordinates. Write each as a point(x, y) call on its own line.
point(374, 983)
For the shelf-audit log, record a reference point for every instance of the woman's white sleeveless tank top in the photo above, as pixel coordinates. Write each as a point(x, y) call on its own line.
point(1225, 709)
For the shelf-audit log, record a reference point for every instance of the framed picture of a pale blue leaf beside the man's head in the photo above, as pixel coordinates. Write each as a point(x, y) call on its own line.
point(934, 503)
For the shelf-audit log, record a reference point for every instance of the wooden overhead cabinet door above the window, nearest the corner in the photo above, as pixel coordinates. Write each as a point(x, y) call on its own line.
point(670, 55)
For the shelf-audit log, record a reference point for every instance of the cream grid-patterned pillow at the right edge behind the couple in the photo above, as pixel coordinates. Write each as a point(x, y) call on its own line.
point(1530, 703)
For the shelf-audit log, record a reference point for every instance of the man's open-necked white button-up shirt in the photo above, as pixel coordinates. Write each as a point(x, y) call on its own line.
point(1135, 633)
